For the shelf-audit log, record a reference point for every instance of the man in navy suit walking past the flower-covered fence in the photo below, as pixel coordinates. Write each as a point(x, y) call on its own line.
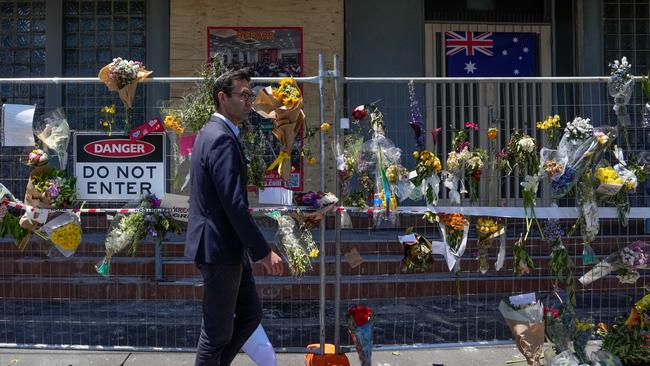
point(221, 234)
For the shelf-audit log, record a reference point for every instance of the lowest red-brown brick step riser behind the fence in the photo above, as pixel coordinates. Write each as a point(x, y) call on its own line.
point(279, 288)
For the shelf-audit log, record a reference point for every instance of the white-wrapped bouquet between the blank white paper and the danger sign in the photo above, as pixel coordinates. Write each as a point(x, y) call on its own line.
point(54, 133)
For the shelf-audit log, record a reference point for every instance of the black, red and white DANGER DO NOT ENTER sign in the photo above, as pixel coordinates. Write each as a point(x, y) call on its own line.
point(118, 168)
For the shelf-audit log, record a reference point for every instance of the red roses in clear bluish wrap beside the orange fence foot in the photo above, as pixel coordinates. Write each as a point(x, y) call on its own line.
point(360, 320)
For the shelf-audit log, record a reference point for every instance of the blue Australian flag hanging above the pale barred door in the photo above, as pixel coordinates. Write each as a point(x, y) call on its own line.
point(491, 54)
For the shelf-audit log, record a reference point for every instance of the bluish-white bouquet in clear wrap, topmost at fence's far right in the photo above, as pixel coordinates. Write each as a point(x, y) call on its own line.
point(620, 87)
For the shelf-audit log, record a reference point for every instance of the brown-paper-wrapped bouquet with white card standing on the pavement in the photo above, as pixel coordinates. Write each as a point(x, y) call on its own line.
point(526, 323)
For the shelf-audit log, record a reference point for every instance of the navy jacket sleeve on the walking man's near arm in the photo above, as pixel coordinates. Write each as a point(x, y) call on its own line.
point(224, 166)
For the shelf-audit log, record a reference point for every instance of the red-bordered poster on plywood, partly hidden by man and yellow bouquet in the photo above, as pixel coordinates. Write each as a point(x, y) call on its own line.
point(264, 52)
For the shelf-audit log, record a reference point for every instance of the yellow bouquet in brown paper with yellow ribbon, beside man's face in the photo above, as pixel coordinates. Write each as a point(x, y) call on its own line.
point(284, 106)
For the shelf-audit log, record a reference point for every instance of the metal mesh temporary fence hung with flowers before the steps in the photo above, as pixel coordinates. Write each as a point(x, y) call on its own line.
point(152, 301)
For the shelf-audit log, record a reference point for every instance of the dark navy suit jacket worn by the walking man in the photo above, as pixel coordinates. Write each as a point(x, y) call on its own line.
point(220, 228)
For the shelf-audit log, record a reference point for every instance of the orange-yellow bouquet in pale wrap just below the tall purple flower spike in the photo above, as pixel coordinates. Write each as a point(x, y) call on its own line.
point(426, 179)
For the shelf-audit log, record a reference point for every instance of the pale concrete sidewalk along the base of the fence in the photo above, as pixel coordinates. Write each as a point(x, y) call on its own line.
point(464, 356)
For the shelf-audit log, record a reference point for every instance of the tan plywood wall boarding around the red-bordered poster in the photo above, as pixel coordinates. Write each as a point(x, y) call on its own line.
point(322, 23)
